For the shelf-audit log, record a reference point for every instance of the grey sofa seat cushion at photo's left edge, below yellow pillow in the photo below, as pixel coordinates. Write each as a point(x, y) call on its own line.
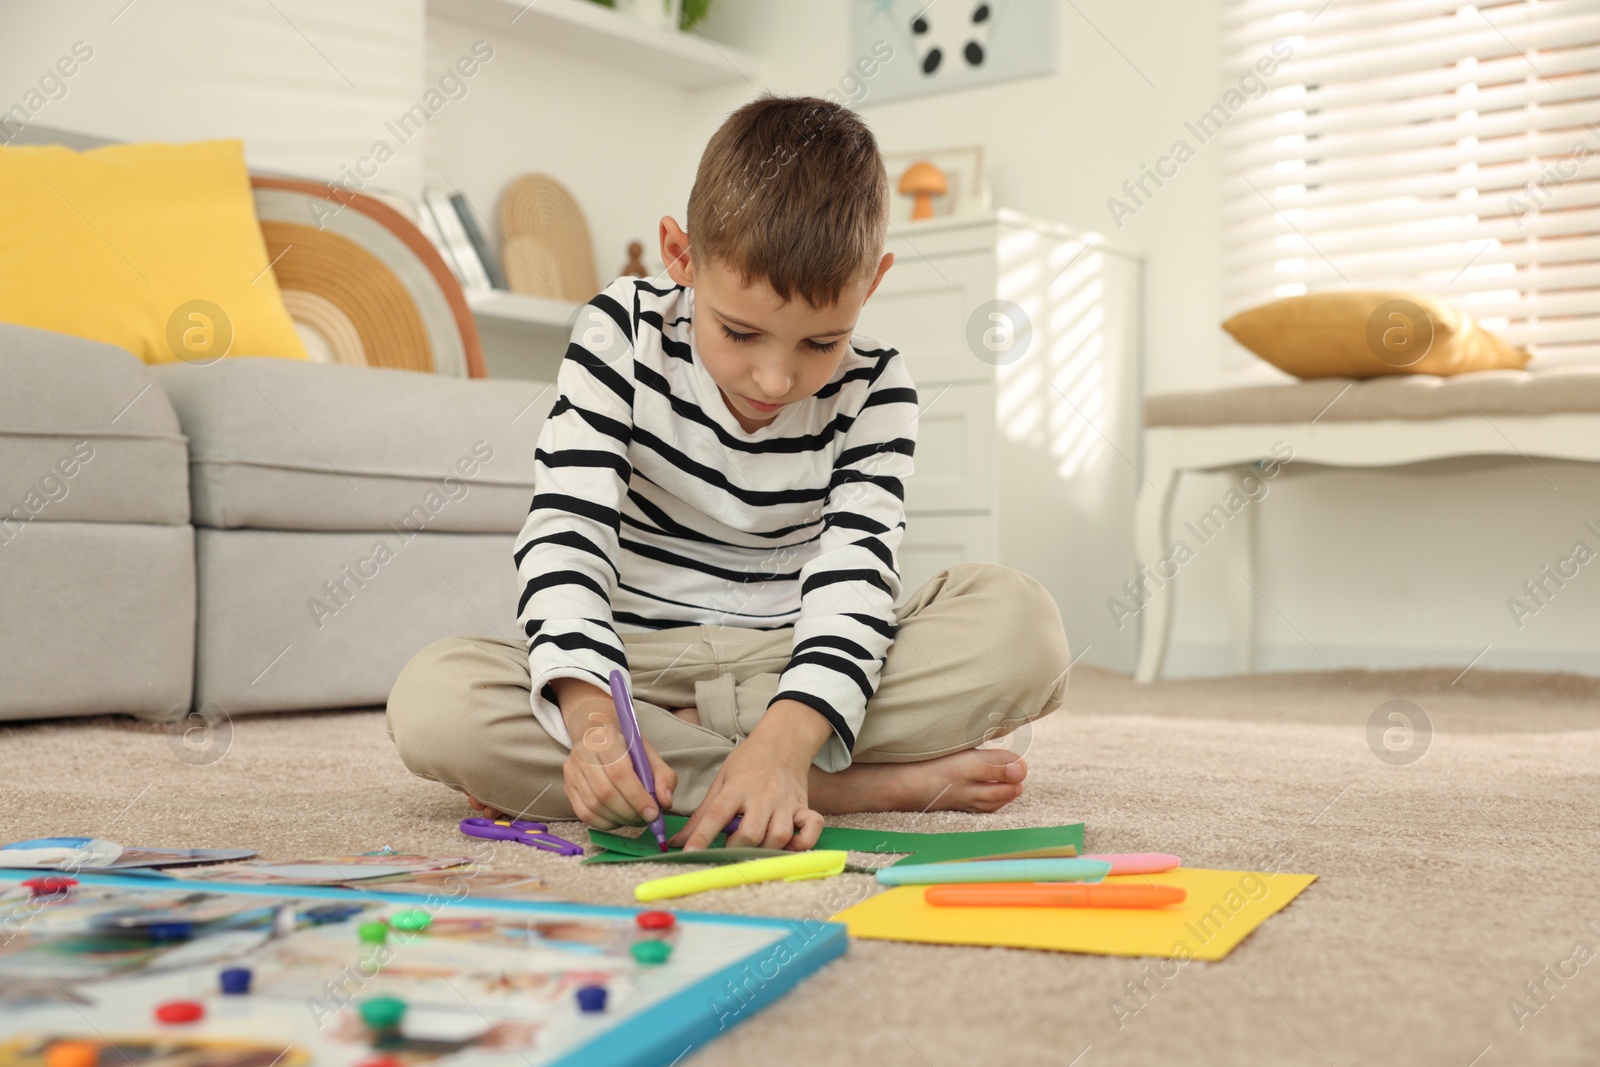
point(86, 436)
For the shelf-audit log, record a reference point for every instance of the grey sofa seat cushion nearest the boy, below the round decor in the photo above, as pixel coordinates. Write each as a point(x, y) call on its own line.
point(282, 446)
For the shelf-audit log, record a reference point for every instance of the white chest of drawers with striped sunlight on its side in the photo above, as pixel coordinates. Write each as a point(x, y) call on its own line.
point(1028, 442)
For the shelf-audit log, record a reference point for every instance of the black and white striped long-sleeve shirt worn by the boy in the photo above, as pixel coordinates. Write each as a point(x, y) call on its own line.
point(654, 508)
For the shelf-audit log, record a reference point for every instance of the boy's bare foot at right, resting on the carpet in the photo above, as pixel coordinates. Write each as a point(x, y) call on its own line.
point(977, 780)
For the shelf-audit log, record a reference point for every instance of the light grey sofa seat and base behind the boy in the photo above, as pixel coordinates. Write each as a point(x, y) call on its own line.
point(246, 537)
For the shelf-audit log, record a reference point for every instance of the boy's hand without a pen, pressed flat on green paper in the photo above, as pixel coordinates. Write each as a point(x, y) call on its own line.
point(764, 780)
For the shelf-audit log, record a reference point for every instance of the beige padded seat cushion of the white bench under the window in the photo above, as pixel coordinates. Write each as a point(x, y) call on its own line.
point(1548, 391)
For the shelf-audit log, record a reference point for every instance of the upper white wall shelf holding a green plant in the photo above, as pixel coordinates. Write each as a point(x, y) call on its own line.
point(594, 33)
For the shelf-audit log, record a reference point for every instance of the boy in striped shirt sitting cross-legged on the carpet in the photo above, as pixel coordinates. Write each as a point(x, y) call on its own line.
point(718, 513)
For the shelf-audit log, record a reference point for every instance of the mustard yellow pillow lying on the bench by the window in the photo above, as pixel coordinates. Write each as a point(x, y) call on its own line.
point(1364, 334)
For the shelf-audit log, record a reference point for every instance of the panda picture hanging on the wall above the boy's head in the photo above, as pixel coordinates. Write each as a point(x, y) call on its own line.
point(951, 44)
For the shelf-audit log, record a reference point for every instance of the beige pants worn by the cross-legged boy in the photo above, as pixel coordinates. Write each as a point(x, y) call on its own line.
point(980, 652)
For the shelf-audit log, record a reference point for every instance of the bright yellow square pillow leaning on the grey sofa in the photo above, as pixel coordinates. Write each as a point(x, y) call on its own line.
point(150, 247)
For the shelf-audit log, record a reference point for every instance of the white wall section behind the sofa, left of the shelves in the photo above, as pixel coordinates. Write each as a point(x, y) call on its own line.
point(306, 84)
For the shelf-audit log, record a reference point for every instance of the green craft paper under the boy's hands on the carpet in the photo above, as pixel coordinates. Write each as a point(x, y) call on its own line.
point(922, 849)
